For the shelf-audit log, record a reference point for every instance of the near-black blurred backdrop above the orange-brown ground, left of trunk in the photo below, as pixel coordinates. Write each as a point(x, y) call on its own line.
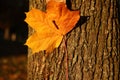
point(12, 15)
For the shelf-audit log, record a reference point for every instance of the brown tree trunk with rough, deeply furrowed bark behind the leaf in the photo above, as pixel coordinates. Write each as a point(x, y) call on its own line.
point(93, 47)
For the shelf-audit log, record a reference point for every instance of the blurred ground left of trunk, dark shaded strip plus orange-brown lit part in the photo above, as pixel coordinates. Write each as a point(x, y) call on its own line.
point(13, 61)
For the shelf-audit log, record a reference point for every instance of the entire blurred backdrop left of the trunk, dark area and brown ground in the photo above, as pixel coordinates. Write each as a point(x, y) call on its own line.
point(13, 34)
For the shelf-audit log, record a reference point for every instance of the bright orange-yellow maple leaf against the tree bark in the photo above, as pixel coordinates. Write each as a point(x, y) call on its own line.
point(50, 26)
